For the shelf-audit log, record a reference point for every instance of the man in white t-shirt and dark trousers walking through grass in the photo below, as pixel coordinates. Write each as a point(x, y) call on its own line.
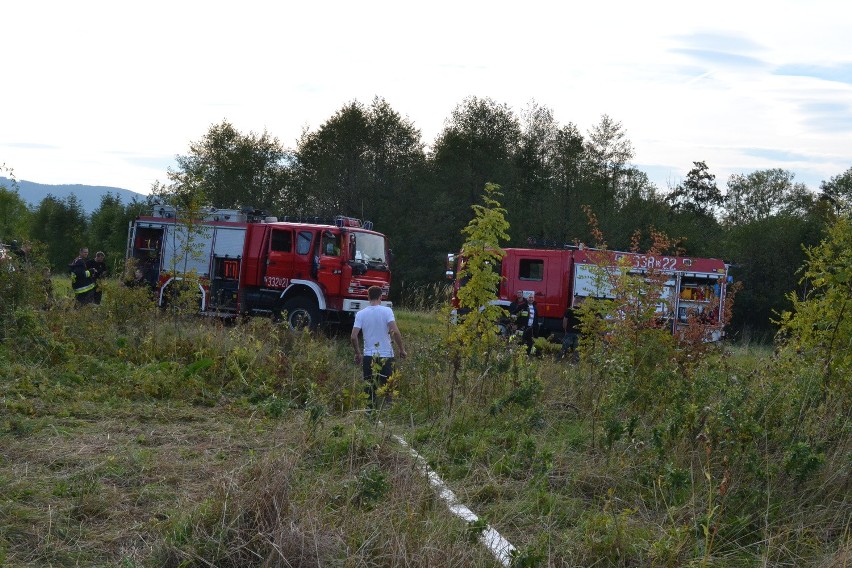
point(378, 325)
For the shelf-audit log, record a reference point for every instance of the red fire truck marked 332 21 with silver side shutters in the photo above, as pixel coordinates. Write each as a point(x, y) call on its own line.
point(244, 262)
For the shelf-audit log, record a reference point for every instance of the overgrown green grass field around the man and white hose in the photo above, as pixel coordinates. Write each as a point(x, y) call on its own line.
point(133, 437)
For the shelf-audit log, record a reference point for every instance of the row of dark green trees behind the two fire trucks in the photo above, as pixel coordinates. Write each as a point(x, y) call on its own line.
point(369, 161)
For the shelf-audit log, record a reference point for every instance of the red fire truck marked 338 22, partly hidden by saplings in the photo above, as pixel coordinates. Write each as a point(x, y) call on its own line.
point(693, 288)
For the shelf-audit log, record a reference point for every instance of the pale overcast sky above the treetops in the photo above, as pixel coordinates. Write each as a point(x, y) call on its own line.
point(107, 93)
